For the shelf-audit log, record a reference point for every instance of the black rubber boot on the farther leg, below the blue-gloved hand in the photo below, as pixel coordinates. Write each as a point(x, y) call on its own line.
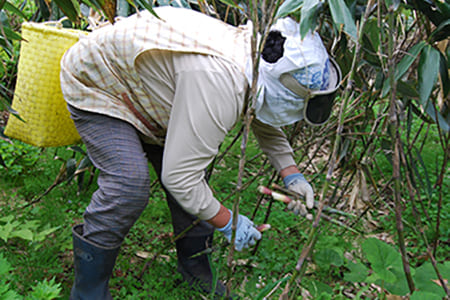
point(196, 271)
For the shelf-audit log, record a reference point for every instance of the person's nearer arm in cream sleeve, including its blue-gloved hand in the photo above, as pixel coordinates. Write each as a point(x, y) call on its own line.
point(206, 105)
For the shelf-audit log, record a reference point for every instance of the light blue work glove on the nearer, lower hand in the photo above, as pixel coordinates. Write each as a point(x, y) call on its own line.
point(246, 233)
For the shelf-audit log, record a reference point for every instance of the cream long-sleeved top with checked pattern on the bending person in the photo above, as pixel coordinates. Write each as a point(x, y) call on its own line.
point(184, 73)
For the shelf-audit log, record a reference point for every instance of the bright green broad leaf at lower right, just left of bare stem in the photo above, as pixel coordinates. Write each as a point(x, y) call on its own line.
point(382, 257)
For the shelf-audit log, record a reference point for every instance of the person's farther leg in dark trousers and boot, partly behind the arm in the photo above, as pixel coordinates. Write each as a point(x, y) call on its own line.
point(196, 271)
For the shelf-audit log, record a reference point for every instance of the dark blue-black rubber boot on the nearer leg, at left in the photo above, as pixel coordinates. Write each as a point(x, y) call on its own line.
point(93, 267)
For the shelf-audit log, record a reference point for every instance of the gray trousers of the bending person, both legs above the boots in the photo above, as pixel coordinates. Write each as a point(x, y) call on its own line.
point(115, 149)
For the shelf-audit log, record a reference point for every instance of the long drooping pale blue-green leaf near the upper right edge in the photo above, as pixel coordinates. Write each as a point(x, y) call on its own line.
point(428, 73)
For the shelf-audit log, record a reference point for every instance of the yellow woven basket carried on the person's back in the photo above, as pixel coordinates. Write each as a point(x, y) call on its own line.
point(38, 98)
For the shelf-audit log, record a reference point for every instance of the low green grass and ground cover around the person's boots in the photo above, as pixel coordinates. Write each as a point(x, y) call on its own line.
point(255, 273)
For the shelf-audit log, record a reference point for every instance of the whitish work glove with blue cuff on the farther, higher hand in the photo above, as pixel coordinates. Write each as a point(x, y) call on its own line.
point(297, 183)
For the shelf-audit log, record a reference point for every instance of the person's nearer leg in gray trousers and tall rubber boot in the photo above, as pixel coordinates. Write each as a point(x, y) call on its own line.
point(115, 150)
